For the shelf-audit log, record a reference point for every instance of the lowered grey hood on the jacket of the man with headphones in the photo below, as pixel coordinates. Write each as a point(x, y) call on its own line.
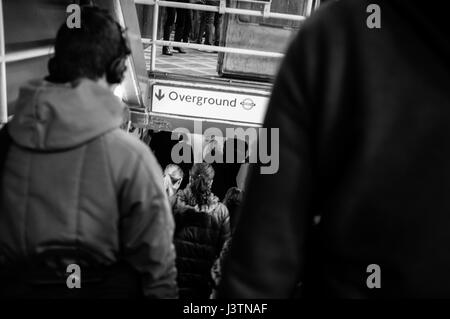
point(52, 116)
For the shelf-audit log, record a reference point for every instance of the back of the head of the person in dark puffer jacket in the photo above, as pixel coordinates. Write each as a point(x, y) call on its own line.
point(201, 177)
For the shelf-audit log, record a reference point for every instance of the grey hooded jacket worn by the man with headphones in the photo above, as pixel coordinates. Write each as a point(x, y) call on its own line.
point(73, 181)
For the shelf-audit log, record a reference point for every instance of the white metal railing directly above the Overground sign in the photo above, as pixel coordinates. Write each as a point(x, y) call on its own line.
point(221, 8)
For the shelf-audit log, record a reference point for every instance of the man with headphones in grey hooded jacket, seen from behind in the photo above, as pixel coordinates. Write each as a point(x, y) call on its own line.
point(76, 189)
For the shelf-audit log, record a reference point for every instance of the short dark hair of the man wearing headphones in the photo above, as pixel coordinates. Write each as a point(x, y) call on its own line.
point(88, 51)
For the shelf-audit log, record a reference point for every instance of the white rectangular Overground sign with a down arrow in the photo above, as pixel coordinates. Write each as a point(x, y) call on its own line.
point(209, 104)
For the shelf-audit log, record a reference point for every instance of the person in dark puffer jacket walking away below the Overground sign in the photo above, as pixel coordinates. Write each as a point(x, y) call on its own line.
point(201, 228)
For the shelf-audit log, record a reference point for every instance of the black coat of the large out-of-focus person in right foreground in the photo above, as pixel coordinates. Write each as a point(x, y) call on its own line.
point(363, 117)
